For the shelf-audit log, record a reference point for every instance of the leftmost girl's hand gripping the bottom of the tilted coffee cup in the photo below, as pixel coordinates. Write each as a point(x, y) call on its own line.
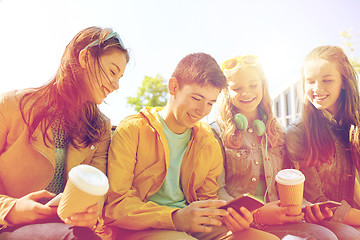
point(85, 219)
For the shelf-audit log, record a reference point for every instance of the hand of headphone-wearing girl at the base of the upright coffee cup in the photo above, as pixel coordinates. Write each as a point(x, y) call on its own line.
point(273, 214)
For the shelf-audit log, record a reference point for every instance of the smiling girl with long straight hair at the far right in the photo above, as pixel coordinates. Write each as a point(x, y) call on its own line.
point(324, 143)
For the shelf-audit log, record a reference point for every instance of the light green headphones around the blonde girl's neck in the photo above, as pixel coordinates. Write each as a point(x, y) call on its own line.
point(258, 125)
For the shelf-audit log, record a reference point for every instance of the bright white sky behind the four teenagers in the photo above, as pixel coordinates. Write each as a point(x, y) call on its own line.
point(159, 33)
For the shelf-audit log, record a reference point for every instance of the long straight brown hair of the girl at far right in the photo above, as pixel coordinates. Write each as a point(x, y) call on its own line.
point(318, 142)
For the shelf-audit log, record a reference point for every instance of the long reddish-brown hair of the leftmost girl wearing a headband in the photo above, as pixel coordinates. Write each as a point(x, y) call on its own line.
point(63, 97)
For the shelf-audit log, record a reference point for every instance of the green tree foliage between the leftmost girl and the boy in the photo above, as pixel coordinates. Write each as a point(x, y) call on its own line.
point(152, 93)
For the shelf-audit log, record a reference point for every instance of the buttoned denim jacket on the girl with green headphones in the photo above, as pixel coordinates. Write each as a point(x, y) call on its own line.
point(241, 171)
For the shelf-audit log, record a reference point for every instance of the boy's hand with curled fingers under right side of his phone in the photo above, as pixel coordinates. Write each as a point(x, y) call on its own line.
point(235, 222)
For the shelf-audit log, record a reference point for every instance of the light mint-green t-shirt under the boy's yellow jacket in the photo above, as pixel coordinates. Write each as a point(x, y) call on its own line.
point(170, 194)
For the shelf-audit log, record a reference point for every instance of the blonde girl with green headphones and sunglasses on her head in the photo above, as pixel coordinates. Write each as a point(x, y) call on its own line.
point(253, 149)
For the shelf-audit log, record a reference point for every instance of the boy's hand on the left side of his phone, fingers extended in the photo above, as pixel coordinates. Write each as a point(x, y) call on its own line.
point(199, 216)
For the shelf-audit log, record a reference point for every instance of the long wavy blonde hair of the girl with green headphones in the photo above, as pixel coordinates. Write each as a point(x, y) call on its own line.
point(231, 136)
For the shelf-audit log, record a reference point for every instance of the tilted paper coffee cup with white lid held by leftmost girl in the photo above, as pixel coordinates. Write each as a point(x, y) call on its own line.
point(84, 188)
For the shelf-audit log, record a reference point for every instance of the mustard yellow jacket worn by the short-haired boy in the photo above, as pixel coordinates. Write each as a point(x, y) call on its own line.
point(138, 162)
